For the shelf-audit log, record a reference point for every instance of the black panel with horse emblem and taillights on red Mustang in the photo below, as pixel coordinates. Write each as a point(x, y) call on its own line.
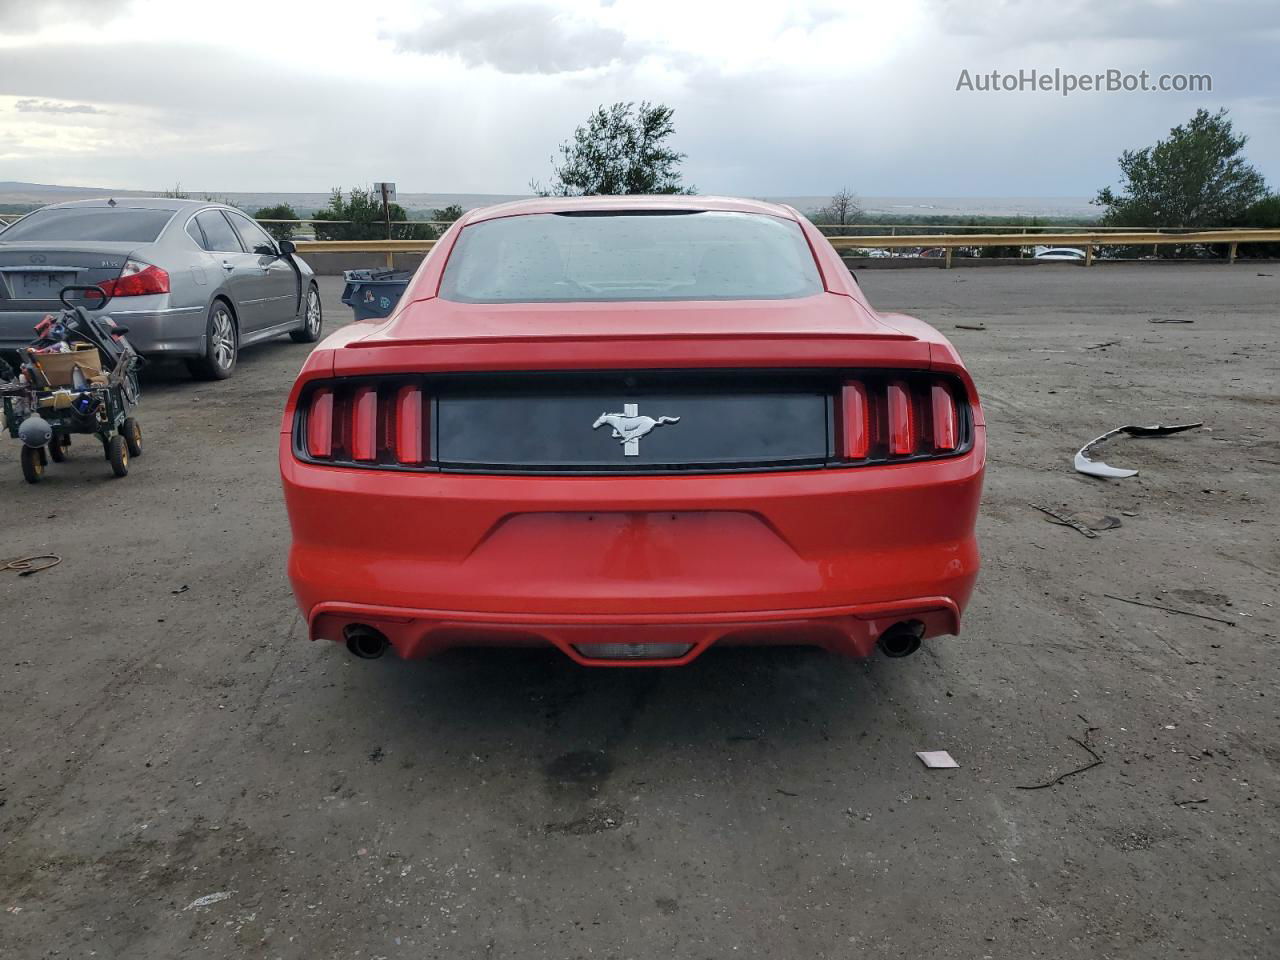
point(712, 422)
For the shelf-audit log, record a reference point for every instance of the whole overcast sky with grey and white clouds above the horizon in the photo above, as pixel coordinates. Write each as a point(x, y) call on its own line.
point(770, 99)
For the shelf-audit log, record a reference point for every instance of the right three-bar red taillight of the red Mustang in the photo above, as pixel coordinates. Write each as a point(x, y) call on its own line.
point(885, 419)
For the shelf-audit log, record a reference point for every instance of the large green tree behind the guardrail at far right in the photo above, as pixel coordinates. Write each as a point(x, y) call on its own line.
point(1195, 179)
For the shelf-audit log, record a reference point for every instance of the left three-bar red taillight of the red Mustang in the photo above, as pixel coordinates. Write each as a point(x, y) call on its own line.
point(367, 423)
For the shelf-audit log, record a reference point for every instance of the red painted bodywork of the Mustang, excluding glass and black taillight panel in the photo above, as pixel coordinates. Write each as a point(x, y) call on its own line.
point(831, 557)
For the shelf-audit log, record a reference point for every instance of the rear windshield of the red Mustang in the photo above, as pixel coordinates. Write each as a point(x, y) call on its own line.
point(647, 255)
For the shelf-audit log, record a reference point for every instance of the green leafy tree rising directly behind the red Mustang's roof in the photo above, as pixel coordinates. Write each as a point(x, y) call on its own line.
point(621, 149)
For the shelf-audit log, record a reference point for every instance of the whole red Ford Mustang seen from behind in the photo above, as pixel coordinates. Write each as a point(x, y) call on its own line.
point(633, 428)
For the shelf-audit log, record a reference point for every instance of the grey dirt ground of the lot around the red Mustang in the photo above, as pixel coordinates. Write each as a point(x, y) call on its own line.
point(182, 774)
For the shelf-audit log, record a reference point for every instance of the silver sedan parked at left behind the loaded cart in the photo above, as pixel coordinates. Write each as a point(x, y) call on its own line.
point(189, 278)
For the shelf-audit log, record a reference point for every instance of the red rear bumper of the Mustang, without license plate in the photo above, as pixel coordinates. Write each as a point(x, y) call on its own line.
point(824, 557)
